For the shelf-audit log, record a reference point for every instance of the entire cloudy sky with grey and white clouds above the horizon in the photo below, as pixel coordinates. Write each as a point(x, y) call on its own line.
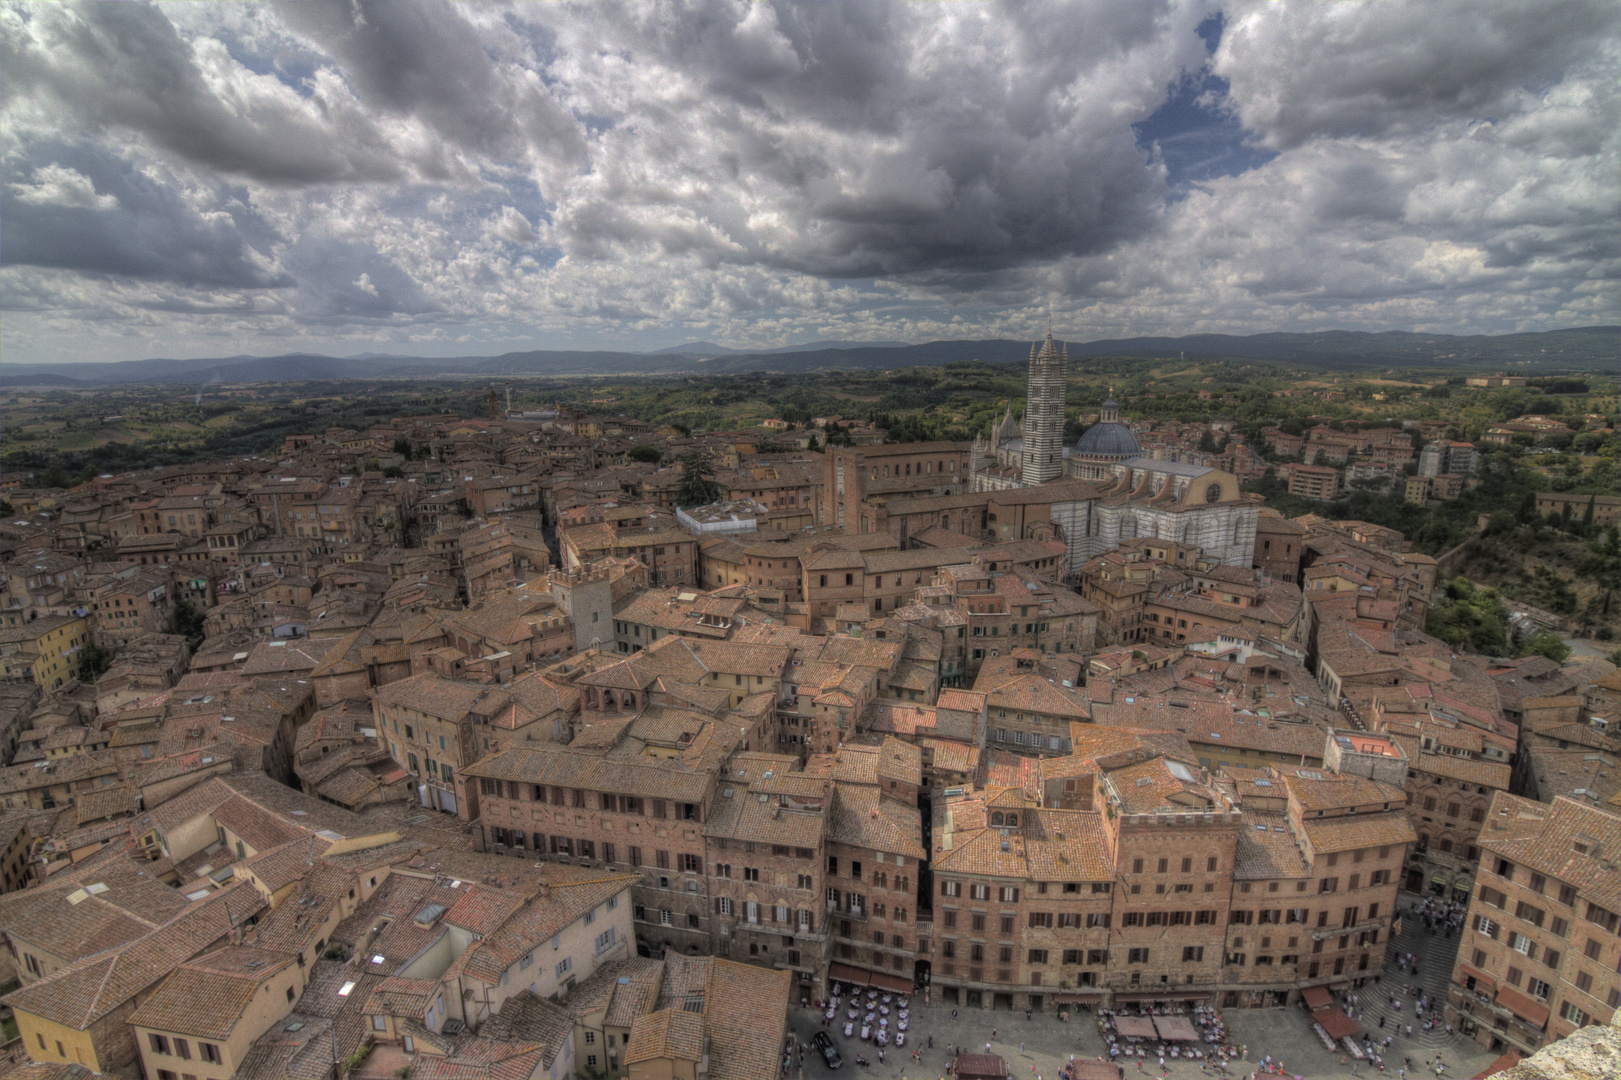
point(218, 179)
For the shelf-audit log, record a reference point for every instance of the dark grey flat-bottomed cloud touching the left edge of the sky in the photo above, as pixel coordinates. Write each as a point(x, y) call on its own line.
point(83, 210)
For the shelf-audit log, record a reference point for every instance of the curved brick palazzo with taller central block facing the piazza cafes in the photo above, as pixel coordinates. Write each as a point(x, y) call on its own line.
point(1147, 878)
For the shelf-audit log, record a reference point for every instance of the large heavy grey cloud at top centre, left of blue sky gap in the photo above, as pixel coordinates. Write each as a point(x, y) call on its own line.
point(855, 140)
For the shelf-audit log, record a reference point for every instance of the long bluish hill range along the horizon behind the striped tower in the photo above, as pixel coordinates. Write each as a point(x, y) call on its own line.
point(1580, 349)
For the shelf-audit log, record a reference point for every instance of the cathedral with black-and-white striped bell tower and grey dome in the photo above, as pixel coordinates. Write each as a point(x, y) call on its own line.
point(1106, 489)
